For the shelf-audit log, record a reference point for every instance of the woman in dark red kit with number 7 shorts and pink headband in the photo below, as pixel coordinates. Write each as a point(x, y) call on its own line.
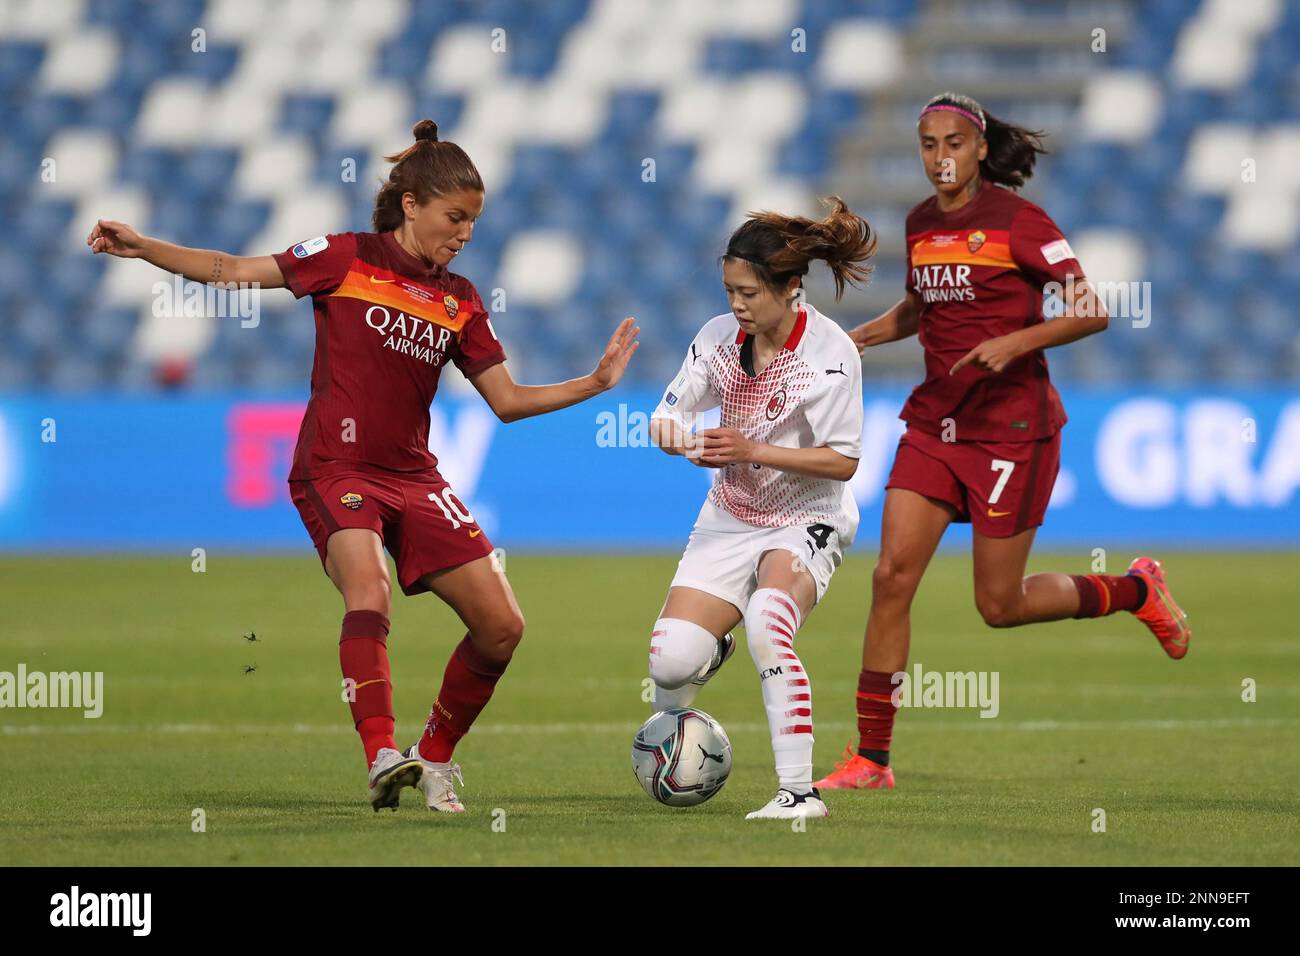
point(983, 436)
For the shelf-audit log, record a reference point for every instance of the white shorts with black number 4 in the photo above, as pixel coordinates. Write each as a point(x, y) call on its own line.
point(723, 553)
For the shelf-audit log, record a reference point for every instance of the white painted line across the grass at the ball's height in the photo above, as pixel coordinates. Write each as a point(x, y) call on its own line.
point(970, 723)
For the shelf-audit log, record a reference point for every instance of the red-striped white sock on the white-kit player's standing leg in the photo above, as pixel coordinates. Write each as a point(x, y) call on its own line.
point(772, 622)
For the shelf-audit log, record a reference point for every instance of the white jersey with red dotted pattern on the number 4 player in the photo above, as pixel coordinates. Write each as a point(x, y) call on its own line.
point(809, 396)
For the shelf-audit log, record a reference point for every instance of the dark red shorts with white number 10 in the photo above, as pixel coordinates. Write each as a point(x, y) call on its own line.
point(423, 534)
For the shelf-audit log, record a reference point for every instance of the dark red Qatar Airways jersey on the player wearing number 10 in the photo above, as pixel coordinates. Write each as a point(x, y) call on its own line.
point(387, 325)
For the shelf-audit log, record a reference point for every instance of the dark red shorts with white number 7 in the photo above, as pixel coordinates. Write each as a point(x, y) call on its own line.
point(1000, 487)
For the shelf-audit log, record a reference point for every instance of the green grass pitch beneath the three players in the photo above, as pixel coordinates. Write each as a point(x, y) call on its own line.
point(1093, 716)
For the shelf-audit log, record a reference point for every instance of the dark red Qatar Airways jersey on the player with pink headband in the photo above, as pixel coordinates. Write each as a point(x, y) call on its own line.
point(981, 272)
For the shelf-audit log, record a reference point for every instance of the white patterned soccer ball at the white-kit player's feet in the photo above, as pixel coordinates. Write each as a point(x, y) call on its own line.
point(682, 758)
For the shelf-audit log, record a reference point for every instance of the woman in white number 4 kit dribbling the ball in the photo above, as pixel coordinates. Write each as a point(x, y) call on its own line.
point(779, 514)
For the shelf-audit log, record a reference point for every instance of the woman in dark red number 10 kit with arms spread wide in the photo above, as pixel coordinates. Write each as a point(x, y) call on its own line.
point(389, 317)
